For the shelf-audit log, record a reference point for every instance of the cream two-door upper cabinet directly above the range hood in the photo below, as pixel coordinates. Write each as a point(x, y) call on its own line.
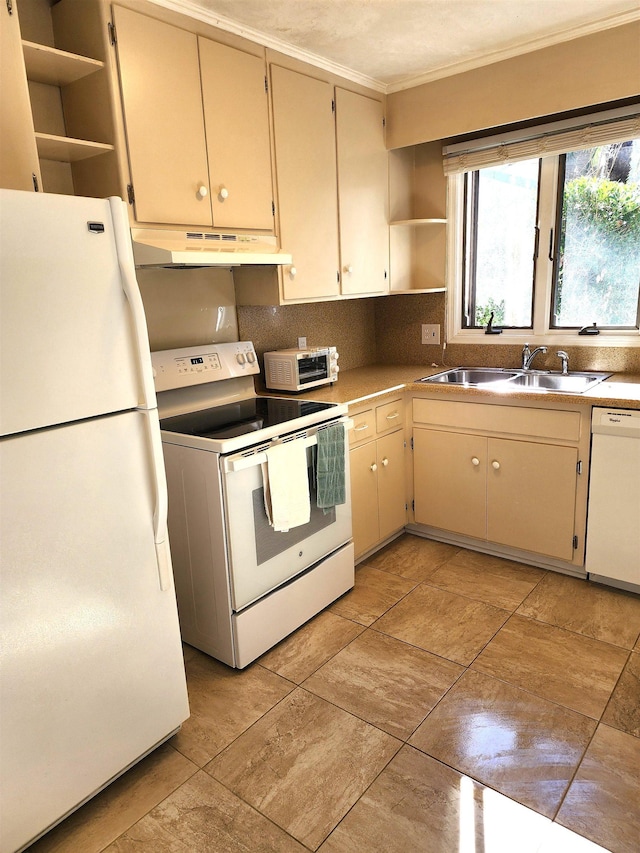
point(197, 127)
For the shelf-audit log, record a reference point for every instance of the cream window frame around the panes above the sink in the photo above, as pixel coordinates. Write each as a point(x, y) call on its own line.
point(541, 333)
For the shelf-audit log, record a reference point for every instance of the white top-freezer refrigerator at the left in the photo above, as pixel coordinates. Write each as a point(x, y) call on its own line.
point(91, 669)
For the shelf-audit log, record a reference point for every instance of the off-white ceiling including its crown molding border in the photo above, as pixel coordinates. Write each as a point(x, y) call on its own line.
point(393, 44)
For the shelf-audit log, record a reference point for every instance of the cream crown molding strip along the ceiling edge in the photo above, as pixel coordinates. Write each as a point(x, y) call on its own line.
point(193, 10)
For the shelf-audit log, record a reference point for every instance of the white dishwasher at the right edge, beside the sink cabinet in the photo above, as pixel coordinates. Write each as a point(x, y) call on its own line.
point(613, 521)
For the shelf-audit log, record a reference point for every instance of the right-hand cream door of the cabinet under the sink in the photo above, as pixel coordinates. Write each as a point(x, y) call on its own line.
point(531, 495)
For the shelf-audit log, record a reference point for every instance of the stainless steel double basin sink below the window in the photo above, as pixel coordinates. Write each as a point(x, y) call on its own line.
point(574, 382)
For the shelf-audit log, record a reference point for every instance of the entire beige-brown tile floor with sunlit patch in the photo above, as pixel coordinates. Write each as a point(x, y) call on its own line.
point(451, 703)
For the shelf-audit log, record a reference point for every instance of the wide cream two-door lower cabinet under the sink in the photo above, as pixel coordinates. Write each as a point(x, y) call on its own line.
point(520, 491)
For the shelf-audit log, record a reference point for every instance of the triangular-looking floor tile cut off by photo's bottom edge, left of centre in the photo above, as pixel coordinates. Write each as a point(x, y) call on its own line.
point(202, 816)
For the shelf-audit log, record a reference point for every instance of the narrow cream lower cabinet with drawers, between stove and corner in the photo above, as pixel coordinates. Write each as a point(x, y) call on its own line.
point(378, 500)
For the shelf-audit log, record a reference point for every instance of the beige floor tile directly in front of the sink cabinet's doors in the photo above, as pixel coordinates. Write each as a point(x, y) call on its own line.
point(482, 577)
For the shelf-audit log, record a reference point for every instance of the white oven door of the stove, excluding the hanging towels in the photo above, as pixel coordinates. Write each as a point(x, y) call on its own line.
point(261, 559)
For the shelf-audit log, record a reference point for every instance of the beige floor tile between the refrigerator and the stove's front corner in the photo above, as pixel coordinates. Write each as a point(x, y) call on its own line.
point(223, 702)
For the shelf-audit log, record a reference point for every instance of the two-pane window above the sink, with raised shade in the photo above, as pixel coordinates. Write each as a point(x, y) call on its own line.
point(543, 246)
